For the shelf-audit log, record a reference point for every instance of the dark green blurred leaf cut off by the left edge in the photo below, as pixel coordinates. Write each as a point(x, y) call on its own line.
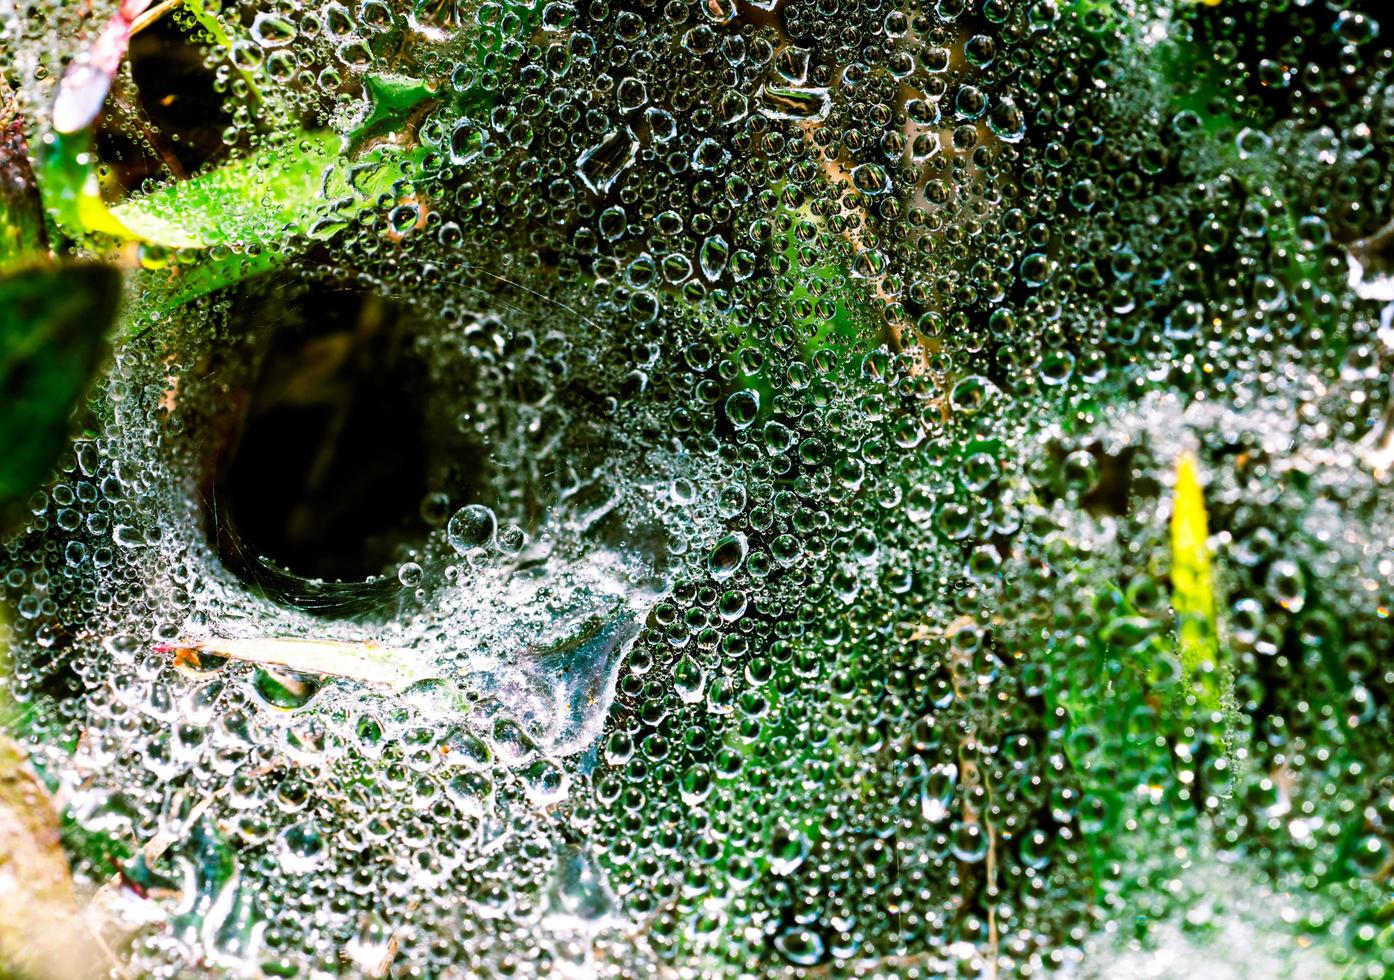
point(52, 341)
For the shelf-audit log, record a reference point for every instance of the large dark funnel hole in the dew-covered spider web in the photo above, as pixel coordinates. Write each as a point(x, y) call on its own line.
point(335, 457)
